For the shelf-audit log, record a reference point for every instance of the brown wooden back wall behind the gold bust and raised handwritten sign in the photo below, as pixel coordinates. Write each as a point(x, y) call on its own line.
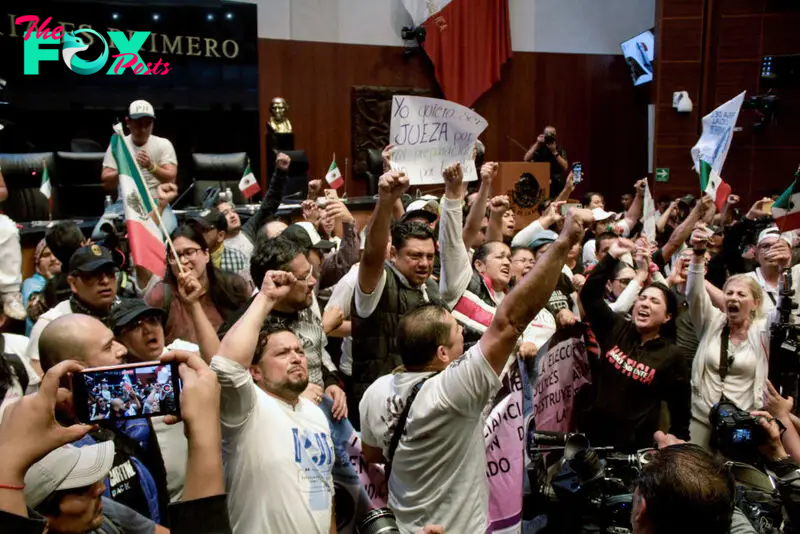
point(601, 118)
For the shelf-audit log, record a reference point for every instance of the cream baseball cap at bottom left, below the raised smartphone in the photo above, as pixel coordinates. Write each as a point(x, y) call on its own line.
point(68, 467)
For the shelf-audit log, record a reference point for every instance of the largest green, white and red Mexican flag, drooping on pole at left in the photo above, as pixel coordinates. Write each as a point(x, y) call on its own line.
point(146, 240)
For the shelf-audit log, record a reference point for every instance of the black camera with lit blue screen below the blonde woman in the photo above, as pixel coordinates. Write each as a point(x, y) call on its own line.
point(737, 434)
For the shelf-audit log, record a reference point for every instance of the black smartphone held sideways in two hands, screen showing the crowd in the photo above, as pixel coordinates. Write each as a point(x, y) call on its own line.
point(133, 391)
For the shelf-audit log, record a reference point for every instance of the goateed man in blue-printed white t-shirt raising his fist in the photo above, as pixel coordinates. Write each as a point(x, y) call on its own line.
point(277, 445)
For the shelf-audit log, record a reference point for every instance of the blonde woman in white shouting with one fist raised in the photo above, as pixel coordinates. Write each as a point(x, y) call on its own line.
point(733, 353)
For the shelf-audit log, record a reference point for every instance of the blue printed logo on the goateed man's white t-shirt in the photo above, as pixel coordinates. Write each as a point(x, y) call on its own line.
point(313, 454)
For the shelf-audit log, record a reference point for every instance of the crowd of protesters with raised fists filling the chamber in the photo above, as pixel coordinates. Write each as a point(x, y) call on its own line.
point(429, 303)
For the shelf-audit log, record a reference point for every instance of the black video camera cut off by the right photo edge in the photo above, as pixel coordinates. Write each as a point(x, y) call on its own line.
point(784, 360)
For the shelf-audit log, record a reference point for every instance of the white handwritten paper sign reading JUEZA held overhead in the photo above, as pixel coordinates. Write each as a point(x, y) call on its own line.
point(428, 134)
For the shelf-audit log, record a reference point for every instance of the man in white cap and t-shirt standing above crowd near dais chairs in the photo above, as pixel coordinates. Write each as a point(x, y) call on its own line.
point(155, 156)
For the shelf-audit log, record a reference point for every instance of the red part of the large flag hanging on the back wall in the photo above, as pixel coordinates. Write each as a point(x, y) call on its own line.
point(468, 41)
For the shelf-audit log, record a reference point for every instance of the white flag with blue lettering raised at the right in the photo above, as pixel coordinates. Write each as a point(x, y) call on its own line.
point(717, 134)
